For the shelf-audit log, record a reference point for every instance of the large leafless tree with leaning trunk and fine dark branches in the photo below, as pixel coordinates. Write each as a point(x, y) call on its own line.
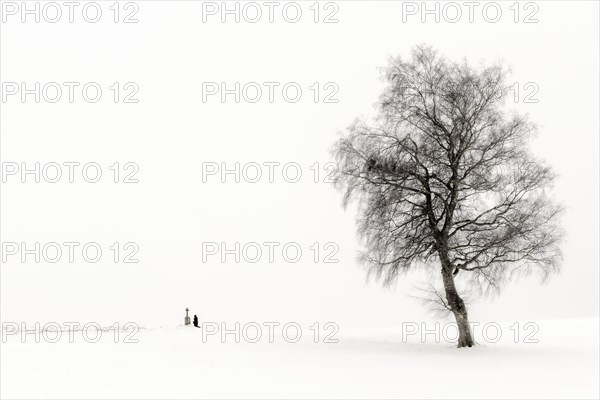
point(443, 176)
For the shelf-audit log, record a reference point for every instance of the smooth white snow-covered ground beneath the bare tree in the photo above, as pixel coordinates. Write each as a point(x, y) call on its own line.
point(175, 362)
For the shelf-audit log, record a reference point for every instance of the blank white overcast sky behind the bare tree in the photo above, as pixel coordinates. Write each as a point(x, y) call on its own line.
point(171, 132)
